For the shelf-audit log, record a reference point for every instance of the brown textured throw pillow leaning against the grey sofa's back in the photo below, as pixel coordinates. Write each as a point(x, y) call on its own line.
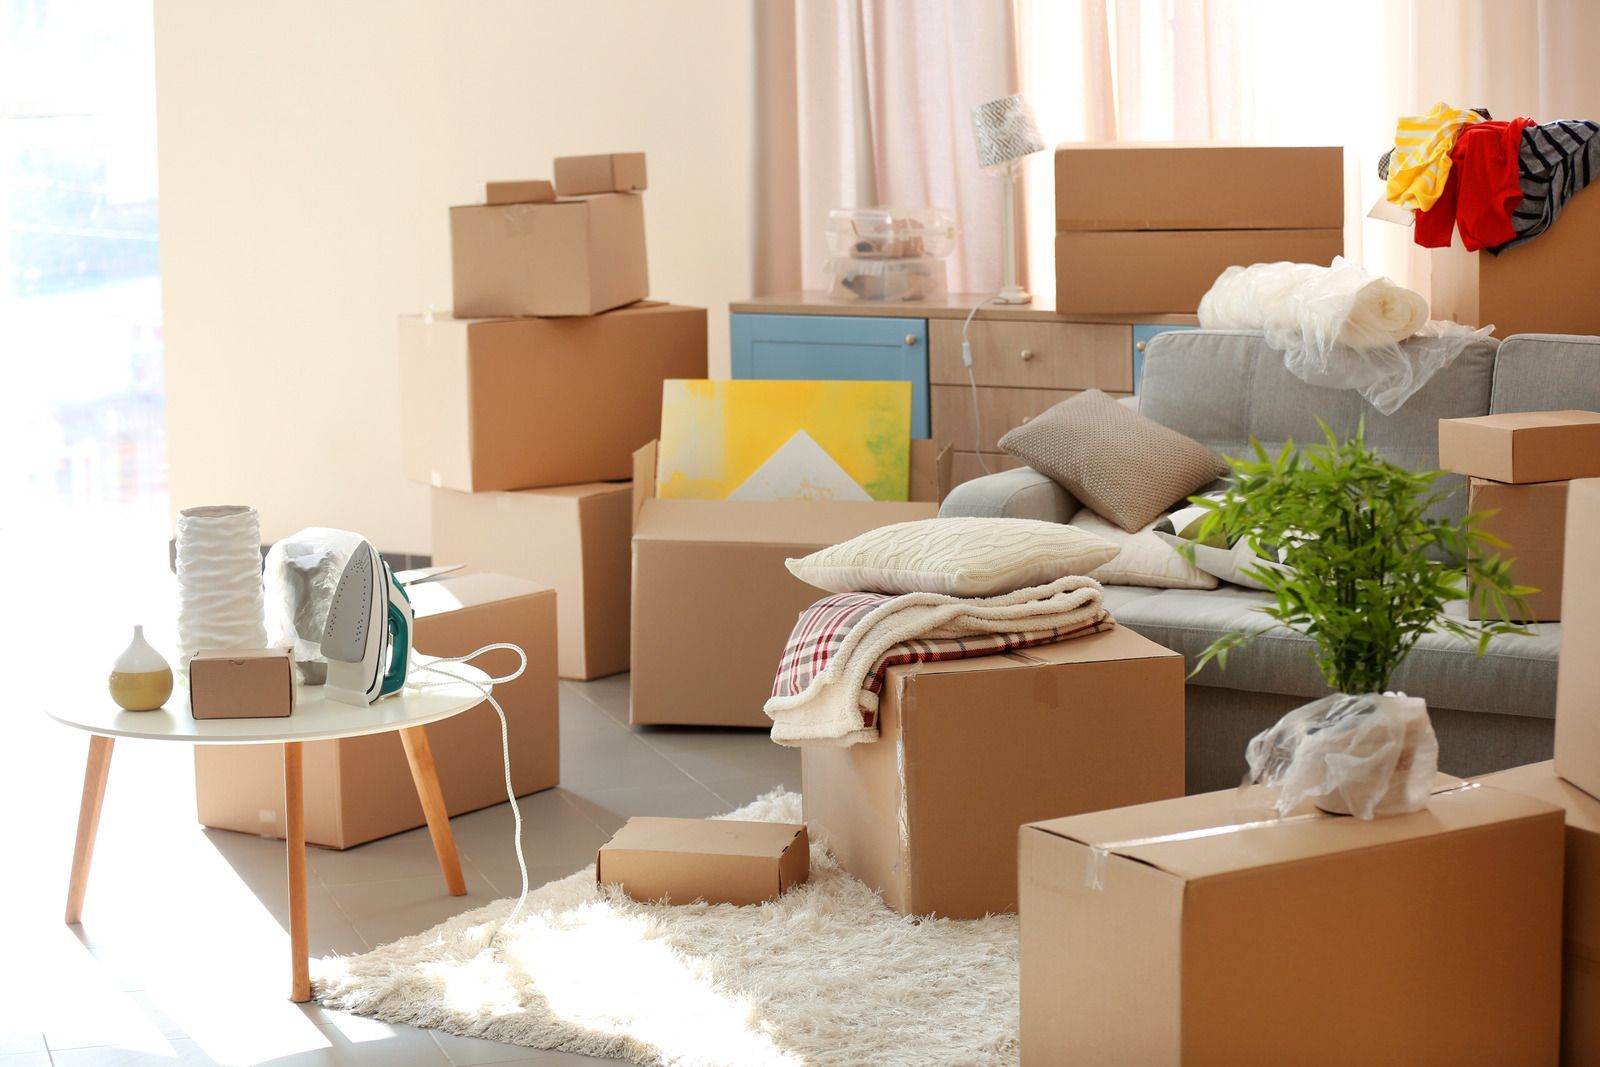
point(1116, 462)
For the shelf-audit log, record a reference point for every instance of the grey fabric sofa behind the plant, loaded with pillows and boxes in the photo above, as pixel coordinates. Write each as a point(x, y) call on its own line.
point(1225, 390)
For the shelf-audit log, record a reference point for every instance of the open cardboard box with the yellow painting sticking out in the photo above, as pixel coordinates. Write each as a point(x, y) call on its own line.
point(713, 601)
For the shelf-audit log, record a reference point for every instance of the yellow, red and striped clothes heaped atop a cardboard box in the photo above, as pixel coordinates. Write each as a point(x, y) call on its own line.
point(1498, 183)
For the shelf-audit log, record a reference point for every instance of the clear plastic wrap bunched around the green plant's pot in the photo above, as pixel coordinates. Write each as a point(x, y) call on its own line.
point(1366, 756)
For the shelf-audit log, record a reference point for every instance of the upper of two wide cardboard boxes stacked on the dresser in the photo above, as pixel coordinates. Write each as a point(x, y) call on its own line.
point(1119, 186)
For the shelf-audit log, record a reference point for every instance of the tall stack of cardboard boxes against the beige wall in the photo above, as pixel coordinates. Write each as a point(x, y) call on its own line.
point(526, 407)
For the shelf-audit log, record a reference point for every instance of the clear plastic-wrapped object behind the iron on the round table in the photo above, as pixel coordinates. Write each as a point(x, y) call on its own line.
point(302, 573)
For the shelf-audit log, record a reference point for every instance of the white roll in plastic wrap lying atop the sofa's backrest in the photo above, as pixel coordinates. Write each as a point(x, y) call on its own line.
point(1340, 327)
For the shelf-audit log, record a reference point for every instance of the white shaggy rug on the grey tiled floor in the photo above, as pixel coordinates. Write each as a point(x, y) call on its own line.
point(825, 975)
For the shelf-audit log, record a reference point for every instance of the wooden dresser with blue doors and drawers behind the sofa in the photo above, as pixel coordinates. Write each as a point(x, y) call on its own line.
point(1026, 358)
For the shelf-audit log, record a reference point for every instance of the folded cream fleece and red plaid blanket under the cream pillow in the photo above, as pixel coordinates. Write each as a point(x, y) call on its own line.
point(842, 647)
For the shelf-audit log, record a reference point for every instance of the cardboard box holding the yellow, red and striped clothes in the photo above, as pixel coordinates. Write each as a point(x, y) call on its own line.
point(1542, 287)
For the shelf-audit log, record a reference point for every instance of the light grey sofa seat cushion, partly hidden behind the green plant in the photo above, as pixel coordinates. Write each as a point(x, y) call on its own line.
point(1516, 677)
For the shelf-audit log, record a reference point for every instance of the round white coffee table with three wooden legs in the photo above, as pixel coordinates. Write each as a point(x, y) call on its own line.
point(314, 719)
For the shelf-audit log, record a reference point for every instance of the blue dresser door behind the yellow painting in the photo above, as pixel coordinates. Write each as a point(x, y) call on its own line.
point(838, 348)
